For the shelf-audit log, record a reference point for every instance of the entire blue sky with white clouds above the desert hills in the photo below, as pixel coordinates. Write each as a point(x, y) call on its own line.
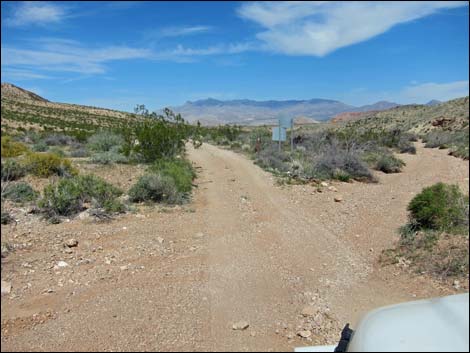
point(118, 54)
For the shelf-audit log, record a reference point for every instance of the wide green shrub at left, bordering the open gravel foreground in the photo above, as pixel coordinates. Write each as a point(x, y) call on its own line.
point(66, 197)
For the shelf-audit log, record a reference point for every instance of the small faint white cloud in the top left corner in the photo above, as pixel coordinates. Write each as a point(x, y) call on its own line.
point(36, 13)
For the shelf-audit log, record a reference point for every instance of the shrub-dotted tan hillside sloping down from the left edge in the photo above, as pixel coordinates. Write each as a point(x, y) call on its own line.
point(22, 109)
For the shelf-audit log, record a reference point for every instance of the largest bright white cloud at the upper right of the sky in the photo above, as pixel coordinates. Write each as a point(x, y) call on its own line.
point(320, 27)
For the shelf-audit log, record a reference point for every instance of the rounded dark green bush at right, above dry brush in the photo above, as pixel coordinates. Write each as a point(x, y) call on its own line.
point(439, 207)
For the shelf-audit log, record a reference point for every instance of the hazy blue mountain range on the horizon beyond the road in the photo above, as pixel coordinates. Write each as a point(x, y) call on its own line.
point(250, 112)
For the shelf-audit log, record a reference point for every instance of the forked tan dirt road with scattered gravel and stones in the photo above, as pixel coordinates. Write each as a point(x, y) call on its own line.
point(244, 250)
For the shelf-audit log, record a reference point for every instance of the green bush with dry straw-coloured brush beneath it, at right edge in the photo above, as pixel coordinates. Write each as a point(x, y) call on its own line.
point(435, 240)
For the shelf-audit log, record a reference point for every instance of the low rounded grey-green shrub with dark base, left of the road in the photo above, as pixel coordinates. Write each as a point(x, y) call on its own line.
point(155, 187)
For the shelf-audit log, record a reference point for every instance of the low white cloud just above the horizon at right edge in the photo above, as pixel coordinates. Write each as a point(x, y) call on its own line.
point(425, 92)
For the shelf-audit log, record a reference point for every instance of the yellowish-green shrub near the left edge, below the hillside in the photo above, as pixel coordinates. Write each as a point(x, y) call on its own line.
point(47, 164)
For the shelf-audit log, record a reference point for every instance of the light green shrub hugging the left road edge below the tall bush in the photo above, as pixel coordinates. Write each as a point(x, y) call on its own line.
point(180, 170)
